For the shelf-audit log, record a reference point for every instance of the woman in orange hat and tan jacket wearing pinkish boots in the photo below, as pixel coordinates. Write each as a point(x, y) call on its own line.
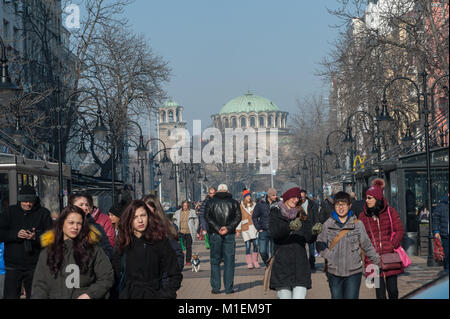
point(248, 230)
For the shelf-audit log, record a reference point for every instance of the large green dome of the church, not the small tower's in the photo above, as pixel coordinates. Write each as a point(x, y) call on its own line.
point(249, 103)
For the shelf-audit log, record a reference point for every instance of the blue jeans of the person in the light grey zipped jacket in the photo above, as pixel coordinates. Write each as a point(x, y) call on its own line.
point(344, 287)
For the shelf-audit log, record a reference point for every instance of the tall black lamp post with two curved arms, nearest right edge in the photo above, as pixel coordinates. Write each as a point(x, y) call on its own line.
point(425, 112)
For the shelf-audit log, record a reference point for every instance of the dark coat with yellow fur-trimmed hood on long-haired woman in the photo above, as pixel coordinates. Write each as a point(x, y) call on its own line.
point(96, 282)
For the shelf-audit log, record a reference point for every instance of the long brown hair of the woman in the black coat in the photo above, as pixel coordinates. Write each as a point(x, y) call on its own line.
point(153, 232)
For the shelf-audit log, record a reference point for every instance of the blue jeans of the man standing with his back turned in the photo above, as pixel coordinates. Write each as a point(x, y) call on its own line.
point(222, 246)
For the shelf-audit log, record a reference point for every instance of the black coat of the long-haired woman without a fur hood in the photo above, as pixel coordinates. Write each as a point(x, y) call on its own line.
point(145, 264)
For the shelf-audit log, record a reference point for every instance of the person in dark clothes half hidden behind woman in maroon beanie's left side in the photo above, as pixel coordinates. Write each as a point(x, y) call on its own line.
point(261, 221)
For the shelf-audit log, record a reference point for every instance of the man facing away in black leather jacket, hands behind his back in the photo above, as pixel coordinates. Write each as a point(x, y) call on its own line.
point(222, 215)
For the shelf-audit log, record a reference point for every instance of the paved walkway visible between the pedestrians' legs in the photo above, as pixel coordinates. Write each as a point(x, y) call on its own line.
point(249, 282)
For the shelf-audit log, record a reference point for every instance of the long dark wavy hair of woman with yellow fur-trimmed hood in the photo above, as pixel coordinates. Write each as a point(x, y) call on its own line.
point(82, 247)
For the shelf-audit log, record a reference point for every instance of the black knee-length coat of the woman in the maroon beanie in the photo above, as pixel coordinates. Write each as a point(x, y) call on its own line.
point(291, 266)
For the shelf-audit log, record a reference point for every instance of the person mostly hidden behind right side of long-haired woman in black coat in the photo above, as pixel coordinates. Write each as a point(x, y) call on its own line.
point(170, 229)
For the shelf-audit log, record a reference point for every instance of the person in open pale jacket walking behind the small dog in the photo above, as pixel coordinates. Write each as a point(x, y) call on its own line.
point(186, 220)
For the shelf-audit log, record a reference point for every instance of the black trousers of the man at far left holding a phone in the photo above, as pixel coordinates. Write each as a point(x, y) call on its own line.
point(13, 283)
